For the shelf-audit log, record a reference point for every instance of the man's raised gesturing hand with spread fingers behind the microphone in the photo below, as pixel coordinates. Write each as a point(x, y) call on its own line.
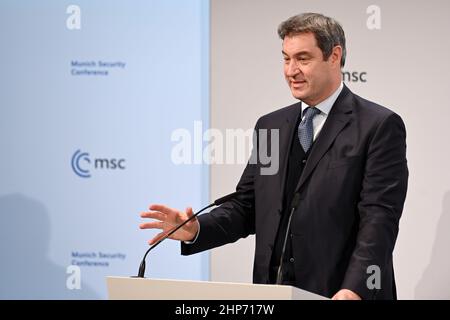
point(167, 219)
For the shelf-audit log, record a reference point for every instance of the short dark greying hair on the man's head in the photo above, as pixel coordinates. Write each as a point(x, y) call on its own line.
point(327, 31)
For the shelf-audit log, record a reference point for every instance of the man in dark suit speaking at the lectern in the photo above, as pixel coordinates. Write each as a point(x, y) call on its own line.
point(327, 221)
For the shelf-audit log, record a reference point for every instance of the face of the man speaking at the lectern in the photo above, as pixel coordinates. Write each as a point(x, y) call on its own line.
point(310, 78)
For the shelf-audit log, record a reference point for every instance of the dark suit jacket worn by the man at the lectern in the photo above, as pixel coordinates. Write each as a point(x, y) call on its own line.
point(352, 191)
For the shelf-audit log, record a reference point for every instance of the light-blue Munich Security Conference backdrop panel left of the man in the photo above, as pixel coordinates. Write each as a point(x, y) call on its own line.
point(90, 95)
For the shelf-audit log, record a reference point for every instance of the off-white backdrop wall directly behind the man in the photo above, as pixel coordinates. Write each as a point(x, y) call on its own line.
point(405, 66)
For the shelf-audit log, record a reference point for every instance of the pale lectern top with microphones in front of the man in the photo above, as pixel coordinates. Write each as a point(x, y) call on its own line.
point(159, 289)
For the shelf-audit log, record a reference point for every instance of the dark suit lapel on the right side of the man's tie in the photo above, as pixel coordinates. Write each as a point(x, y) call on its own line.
point(336, 121)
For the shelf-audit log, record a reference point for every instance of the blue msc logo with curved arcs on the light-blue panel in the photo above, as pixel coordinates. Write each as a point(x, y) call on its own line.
point(82, 164)
